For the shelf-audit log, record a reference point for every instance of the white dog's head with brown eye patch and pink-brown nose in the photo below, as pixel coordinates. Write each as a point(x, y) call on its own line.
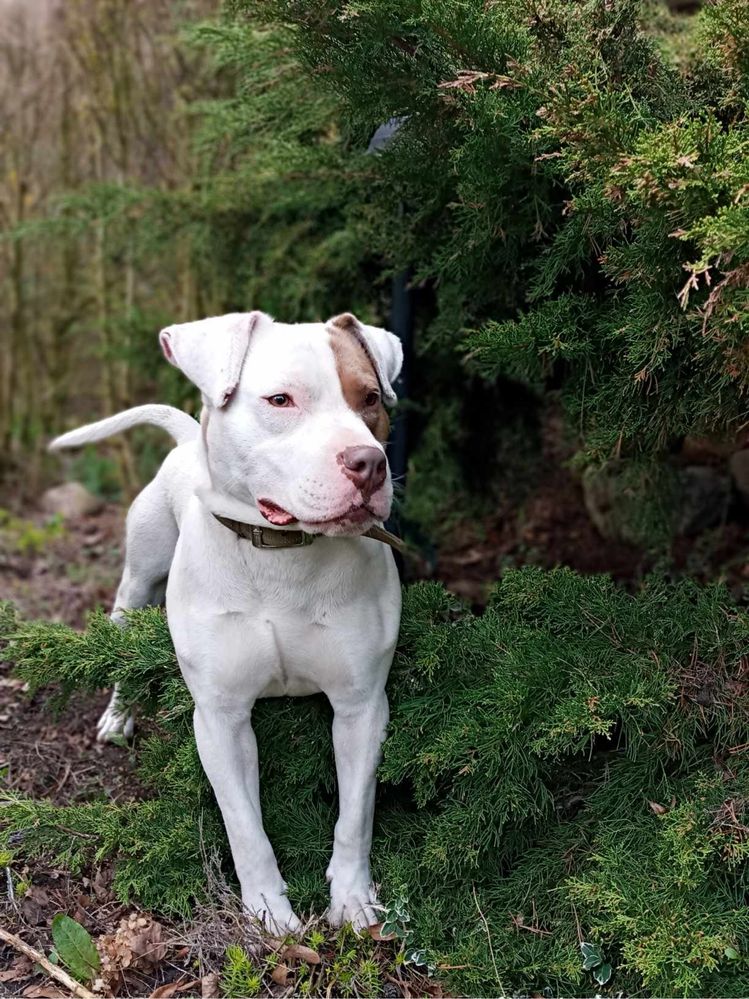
point(294, 419)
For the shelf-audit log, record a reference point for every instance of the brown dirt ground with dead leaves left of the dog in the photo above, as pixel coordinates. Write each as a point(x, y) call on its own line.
point(57, 757)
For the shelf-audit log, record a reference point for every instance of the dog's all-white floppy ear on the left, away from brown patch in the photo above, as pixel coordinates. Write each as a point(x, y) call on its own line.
point(211, 352)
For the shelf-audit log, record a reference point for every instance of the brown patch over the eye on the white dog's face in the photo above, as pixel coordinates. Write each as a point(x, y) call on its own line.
point(357, 375)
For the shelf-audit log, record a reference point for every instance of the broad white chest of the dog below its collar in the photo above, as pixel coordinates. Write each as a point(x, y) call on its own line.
point(269, 624)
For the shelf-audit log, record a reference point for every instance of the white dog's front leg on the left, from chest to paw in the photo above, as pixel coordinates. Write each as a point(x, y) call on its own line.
point(228, 752)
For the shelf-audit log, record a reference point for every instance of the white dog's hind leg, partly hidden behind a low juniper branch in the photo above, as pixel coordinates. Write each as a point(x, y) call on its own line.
point(150, 538)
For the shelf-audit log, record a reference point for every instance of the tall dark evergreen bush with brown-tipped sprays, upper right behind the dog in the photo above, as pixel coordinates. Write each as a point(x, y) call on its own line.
point(572, 179)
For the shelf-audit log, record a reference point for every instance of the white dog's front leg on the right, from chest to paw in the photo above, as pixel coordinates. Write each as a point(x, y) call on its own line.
point(358, 730)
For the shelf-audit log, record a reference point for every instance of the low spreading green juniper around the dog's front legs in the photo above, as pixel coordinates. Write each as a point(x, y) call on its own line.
point(566, 768)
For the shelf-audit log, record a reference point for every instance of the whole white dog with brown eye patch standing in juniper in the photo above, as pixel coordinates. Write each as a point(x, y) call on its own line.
point(254, 528)
